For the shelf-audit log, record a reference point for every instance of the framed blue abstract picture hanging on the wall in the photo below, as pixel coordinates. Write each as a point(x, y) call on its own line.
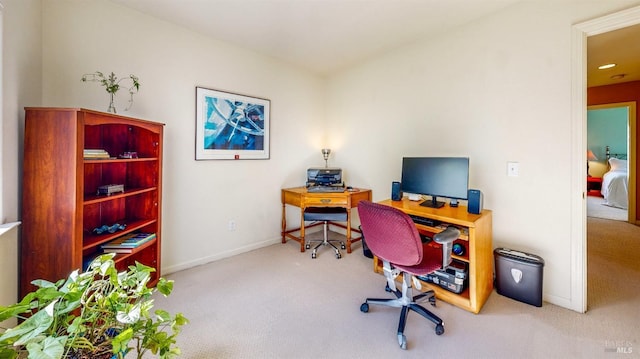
point(231, 126)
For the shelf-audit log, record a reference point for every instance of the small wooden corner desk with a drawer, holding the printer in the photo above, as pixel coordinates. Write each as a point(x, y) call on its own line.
point(300, 197)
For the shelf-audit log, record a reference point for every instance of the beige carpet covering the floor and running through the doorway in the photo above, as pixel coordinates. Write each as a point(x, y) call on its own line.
point(276, 302)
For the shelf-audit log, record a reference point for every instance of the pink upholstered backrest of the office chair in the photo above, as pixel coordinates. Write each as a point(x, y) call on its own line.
point(390, 234)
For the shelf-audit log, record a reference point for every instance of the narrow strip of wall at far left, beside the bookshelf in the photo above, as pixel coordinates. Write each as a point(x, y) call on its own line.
point(21, 84)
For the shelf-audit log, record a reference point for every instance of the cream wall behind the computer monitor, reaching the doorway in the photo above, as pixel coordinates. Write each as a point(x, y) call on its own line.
point(496, 90)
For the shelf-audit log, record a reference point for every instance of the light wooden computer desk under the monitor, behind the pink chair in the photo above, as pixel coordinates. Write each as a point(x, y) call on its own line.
point(476, 238)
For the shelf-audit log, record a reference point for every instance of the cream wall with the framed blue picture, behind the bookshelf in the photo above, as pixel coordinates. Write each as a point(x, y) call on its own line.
point(200, 198)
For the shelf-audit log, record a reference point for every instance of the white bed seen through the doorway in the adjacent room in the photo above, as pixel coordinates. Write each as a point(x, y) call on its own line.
point(615, 184)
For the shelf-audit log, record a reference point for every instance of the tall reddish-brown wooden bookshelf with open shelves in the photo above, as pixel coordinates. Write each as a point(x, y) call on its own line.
point(60, 204)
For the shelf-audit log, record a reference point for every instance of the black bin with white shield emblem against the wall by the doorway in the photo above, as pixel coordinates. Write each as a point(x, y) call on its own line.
point(519, 275)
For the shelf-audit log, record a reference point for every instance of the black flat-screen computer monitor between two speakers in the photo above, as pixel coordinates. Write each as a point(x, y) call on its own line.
point(446, 177)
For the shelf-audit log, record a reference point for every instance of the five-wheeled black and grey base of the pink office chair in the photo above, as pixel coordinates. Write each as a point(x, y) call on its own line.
point(407, 302)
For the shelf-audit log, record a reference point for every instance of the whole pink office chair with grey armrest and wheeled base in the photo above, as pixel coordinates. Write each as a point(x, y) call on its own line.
point(392, 236)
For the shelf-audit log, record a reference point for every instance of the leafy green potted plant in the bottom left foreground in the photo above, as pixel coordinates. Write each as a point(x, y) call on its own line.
point(99, 314)
